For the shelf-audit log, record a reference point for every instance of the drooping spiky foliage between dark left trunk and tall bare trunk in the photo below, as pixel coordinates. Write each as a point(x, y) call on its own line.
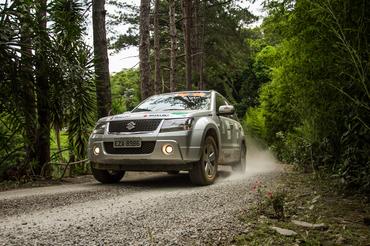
point(73, 91)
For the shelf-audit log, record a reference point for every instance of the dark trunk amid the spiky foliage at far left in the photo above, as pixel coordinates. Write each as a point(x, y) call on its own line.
point(42, 89)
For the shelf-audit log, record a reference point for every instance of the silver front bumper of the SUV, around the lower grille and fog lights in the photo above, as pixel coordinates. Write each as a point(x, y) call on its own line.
point(185, 152)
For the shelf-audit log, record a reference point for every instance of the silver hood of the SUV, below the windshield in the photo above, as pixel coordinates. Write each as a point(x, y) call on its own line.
point(159, 115)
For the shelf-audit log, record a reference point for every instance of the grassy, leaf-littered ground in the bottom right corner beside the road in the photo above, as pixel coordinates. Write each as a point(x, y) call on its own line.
point(311, 200)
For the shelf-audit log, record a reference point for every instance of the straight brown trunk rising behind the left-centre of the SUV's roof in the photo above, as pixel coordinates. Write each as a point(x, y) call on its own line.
point(187, 16)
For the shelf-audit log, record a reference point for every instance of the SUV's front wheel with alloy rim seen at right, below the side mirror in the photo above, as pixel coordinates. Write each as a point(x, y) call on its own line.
point(204, 171)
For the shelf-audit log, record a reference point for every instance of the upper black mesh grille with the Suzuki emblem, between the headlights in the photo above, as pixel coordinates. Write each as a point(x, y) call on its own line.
point(134, 125)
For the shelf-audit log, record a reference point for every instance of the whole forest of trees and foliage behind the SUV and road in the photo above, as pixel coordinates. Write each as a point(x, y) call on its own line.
point(299, 80)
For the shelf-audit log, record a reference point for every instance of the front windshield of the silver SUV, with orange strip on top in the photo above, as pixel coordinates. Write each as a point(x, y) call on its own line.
point(176, 101)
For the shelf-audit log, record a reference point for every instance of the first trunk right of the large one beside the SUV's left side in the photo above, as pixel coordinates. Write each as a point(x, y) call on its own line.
point(146, 89)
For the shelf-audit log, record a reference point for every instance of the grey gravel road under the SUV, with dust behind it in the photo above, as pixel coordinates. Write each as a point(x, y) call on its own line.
point(144, 209)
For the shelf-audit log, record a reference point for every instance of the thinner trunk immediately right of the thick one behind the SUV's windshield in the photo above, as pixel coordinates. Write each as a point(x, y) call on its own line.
point(157, 63)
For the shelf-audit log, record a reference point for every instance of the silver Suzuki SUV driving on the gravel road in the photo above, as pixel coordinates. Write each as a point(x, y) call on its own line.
point(193, 131)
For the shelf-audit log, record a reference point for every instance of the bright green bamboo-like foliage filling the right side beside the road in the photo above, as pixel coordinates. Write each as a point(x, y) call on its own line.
point(316, 108)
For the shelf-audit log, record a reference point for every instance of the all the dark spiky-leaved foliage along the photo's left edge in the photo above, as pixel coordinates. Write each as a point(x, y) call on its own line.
point(67, 64)
